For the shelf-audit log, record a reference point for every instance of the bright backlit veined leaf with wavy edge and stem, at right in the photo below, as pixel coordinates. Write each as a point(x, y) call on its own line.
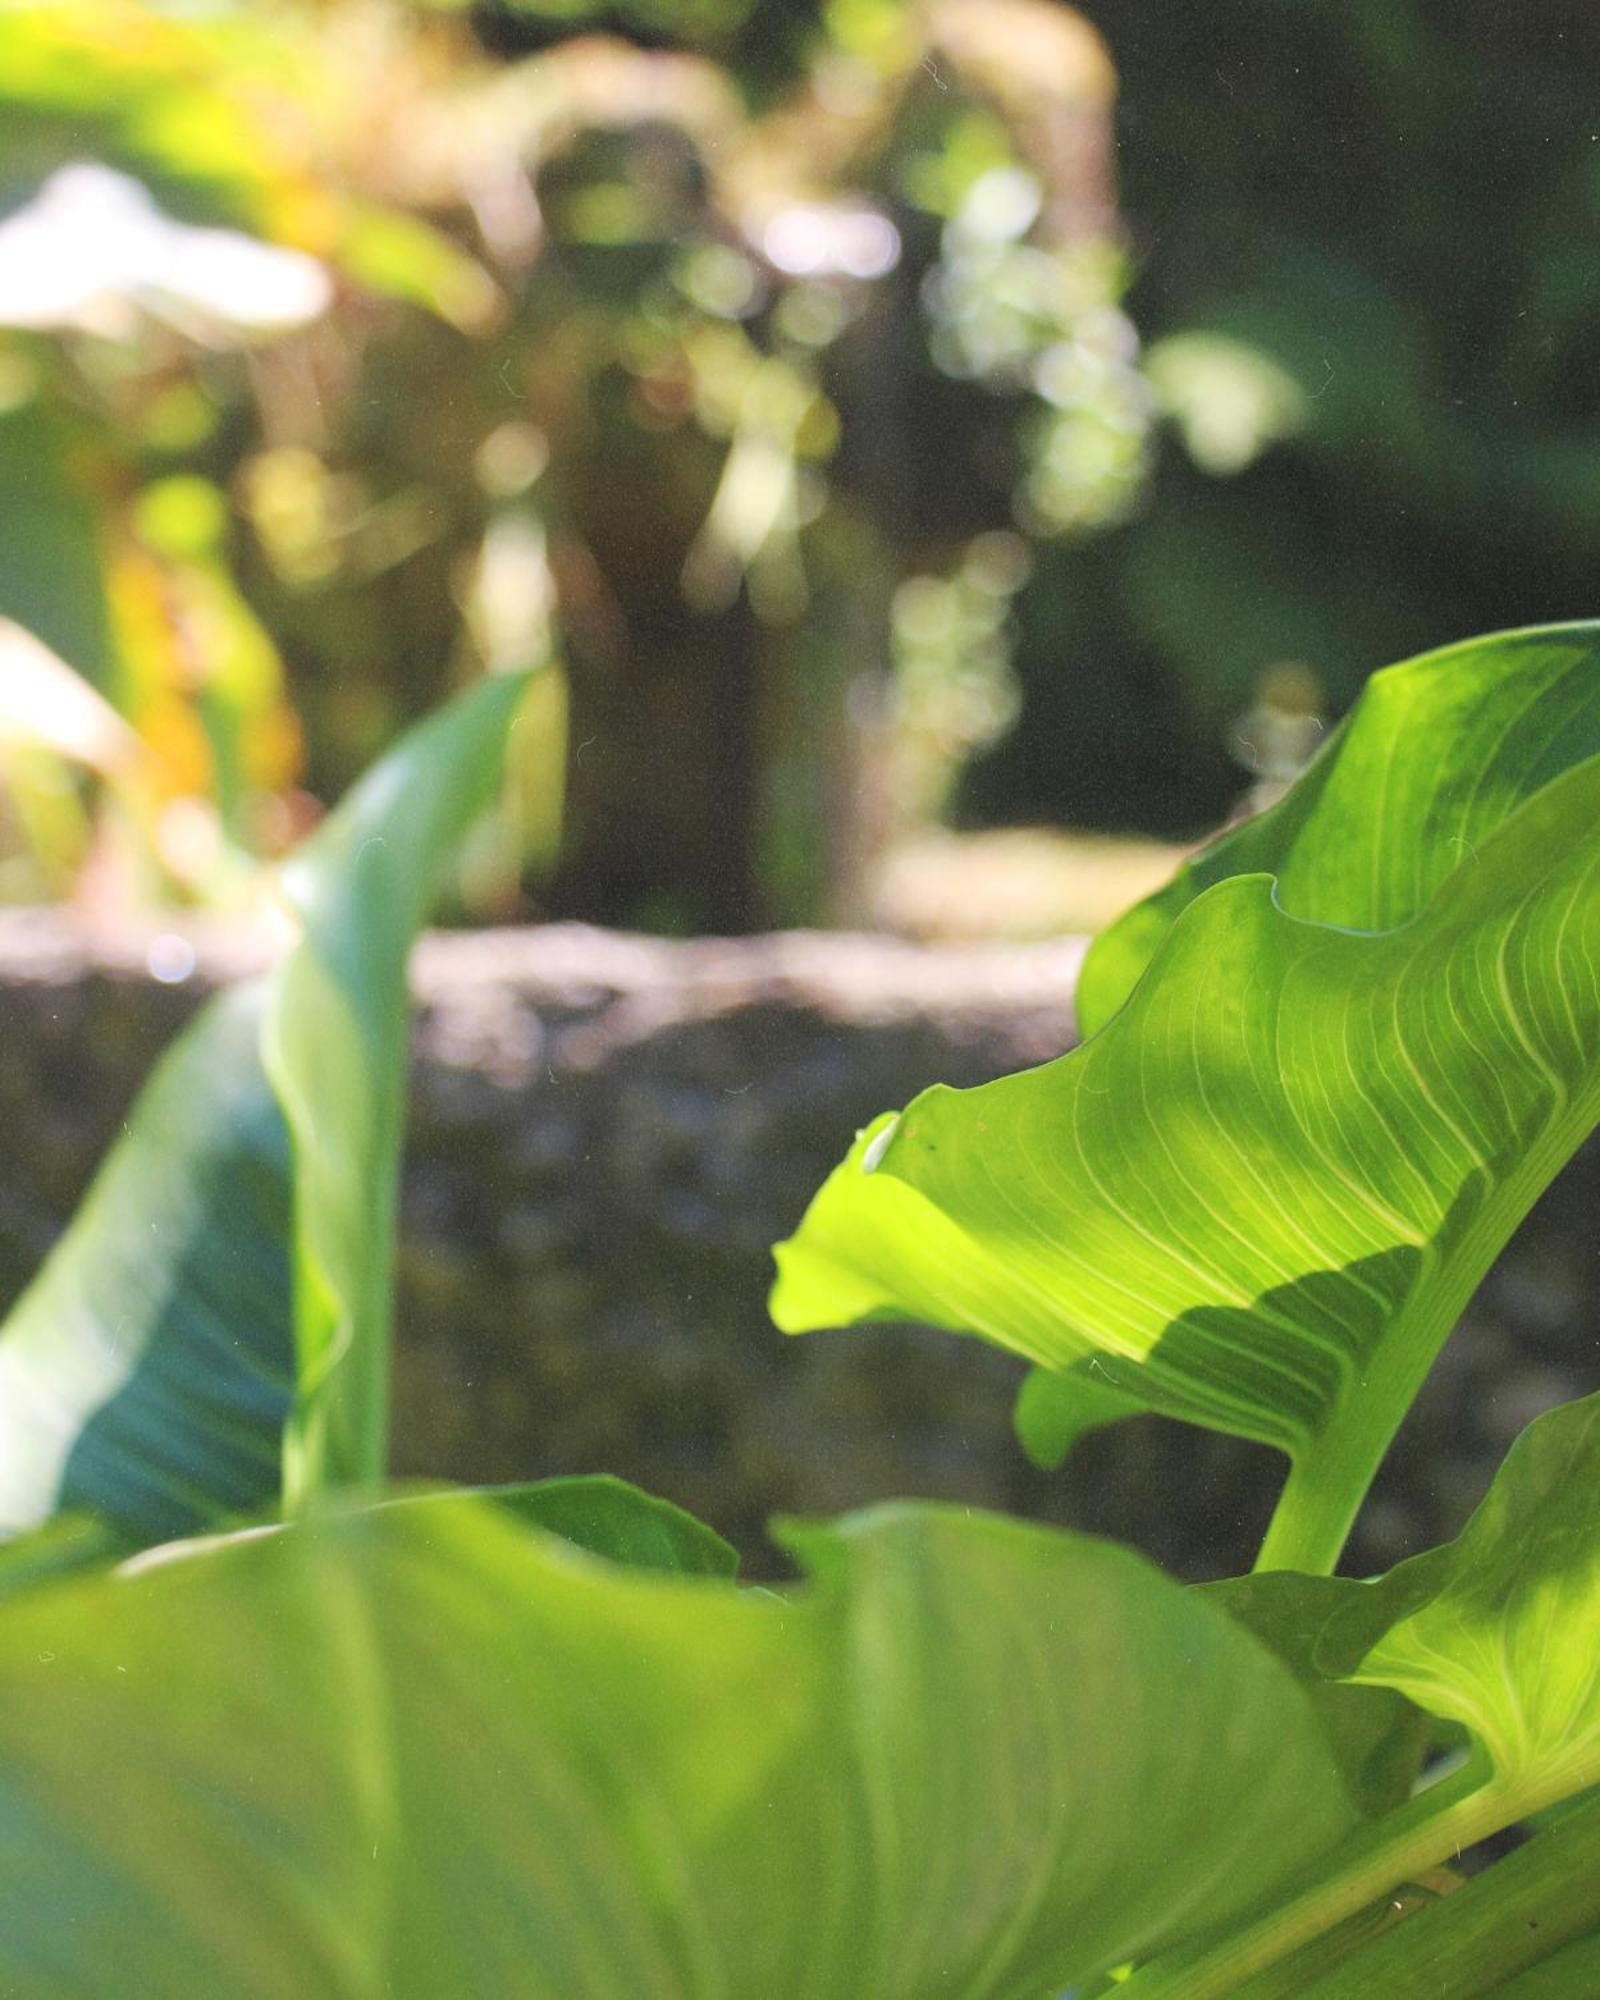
point(1261, 1195)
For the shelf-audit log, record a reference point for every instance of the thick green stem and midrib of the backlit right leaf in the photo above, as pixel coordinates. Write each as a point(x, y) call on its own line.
point(1331, 1477)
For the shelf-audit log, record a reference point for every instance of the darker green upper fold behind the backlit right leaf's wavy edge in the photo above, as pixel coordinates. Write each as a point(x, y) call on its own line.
point(1431, 761)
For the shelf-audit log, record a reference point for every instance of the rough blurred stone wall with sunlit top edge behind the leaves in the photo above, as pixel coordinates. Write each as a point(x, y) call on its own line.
point(609, 1133)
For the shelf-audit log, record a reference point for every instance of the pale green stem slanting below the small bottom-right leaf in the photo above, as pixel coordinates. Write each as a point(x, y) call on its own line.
point(1431, 1831)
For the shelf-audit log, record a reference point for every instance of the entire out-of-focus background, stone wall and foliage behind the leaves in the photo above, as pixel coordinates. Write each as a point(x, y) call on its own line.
point(949, 453)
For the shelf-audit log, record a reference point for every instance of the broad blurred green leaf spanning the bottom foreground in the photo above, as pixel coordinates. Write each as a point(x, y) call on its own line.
point(423, 1751)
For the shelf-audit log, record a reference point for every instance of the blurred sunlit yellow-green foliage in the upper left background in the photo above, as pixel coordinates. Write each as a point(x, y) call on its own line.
point(387, 361)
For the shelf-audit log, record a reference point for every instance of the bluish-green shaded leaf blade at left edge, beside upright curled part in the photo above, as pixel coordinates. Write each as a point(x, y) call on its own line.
point(147, 1373)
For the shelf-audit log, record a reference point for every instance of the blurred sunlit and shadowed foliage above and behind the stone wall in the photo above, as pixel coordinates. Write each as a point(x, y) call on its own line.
point(895, 417)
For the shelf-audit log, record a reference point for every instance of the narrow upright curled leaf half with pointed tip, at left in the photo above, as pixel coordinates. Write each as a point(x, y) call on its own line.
point(337, 1045)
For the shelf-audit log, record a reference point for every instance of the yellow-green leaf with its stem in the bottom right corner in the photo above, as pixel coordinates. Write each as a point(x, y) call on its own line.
point(1497, 1633)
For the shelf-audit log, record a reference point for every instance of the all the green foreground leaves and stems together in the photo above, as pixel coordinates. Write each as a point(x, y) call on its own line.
point(543, 1741)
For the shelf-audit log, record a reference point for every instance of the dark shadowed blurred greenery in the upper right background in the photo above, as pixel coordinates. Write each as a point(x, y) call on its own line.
point(1365, 279)
